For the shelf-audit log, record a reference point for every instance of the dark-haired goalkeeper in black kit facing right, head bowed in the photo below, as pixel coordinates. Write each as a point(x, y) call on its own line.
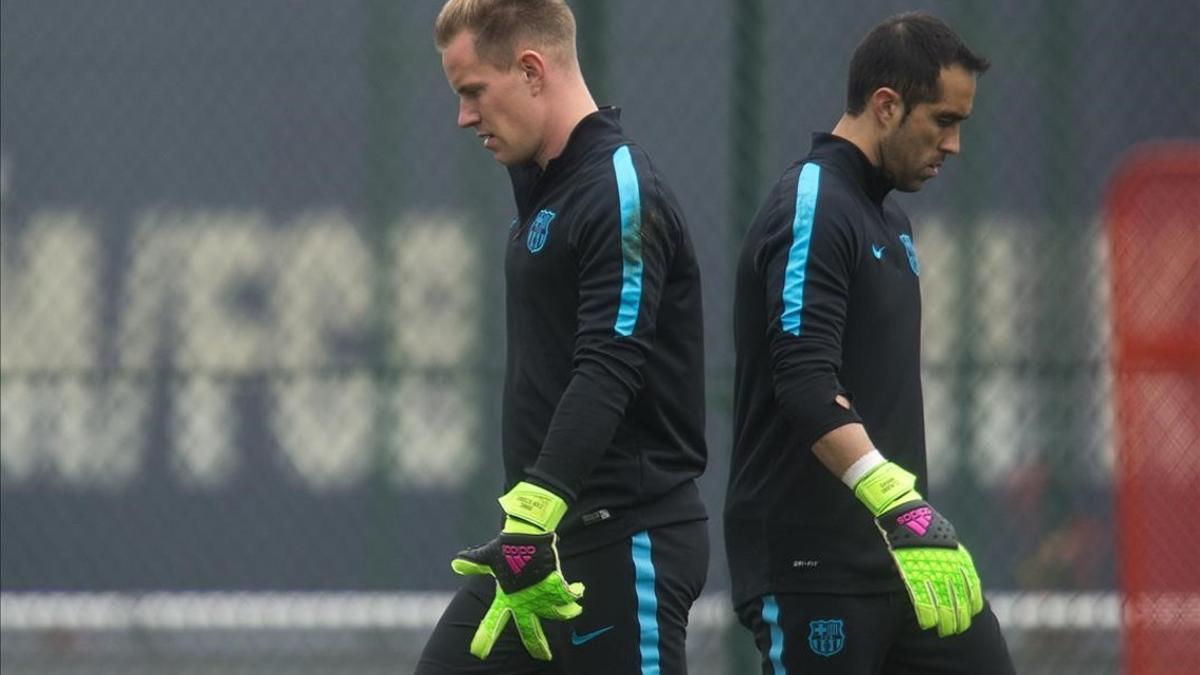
point(838, 561)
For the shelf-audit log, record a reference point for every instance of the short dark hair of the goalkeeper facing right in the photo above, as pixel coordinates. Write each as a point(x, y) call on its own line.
point(908, 53)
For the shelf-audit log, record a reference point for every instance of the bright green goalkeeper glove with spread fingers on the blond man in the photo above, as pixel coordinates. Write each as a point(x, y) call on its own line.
point(530, 584)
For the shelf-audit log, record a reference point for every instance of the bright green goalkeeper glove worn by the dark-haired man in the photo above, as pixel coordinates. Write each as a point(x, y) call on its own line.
point(938, 571)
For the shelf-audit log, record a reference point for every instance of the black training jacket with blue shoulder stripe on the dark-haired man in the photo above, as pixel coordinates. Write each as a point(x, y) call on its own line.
point(827, 302)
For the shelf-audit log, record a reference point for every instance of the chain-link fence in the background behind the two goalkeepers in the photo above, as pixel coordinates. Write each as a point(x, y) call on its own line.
point(253, 331)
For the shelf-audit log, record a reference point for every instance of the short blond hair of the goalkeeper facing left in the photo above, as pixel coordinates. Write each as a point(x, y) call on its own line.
point(501, 27)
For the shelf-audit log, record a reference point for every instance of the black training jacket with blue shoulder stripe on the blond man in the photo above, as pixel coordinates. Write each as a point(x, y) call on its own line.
point(604, 391)
